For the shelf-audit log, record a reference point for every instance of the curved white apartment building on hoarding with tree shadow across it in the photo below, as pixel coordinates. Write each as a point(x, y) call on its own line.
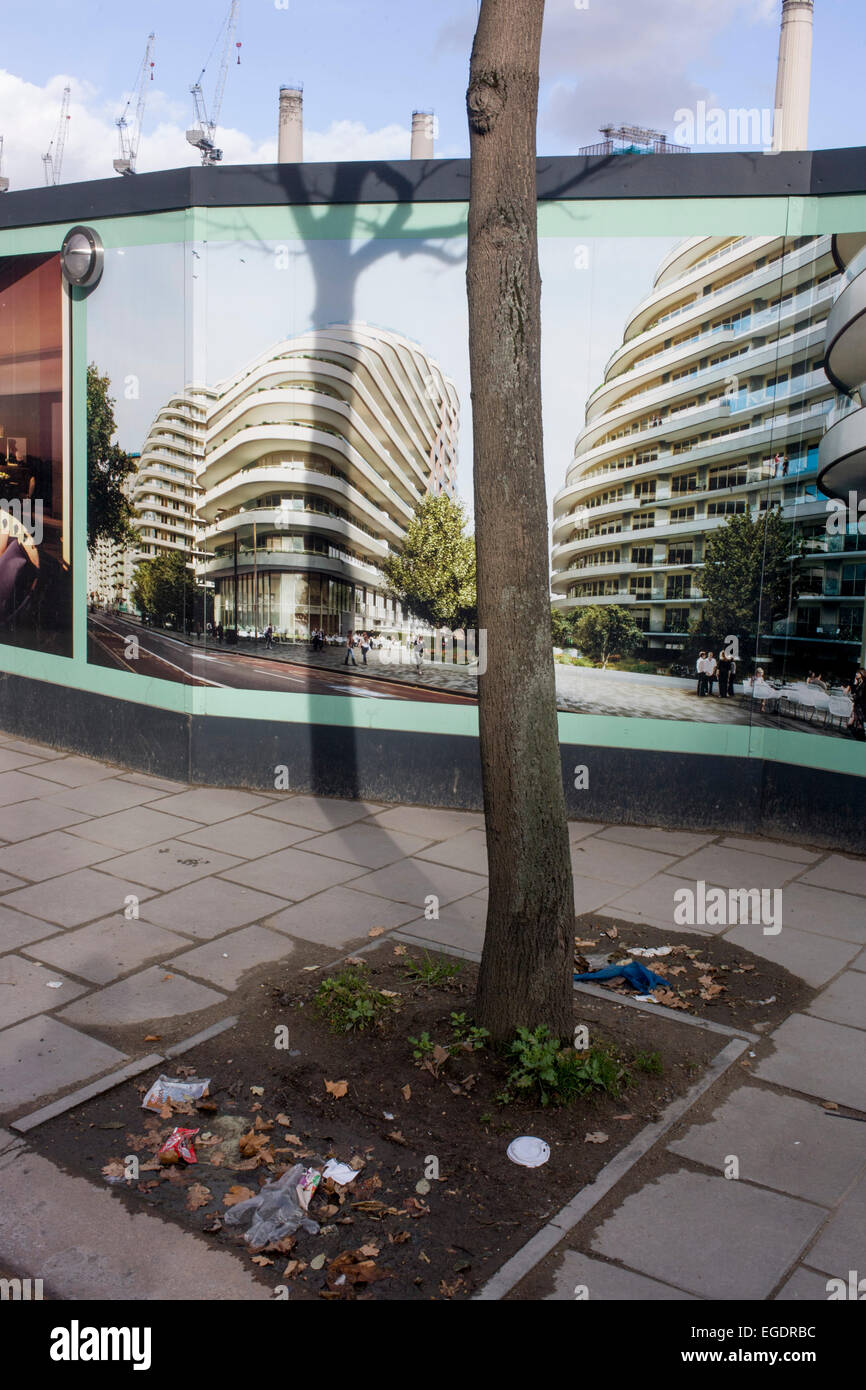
point(315, 458)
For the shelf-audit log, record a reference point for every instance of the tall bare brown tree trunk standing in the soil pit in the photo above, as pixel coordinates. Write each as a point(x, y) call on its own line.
point(526, 970)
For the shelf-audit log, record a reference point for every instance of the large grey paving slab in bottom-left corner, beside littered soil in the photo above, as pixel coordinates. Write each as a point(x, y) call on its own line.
point(88, 1245)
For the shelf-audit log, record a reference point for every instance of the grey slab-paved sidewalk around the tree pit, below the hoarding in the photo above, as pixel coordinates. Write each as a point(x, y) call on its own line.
point(126, 899)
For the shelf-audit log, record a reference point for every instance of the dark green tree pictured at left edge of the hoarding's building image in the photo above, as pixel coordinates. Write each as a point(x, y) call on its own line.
point(109, 466)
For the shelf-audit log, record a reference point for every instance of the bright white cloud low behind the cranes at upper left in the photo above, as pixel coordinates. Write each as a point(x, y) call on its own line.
point(30, 116)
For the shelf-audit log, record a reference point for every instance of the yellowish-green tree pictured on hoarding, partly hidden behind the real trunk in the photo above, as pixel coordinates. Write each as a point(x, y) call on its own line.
point(434, 576)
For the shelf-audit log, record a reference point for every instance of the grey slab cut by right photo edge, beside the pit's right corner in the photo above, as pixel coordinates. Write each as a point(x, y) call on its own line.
point(818, 1058)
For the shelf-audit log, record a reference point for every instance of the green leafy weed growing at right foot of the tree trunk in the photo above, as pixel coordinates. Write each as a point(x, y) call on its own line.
point(551, 1074)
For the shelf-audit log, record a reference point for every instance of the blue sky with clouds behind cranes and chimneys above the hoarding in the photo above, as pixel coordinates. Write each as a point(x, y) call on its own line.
point(366, 66)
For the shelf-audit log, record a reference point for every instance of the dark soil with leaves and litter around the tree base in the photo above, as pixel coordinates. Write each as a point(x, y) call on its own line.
point(394, 1120)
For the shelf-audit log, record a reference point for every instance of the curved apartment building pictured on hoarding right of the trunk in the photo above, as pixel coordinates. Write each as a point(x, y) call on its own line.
point(714, 405)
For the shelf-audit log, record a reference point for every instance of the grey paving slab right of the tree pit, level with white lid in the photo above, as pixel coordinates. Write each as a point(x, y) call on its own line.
point(781, 1142)
